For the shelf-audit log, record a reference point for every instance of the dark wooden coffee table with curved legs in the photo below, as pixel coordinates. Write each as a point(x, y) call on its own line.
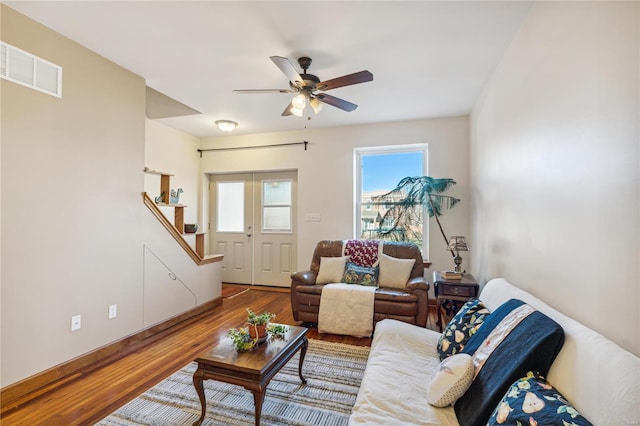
point(253, 370)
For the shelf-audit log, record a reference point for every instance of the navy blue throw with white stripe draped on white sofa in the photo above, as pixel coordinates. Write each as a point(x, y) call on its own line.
point(524, 340)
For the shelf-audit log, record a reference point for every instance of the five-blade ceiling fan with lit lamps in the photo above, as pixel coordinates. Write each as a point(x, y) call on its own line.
point(307, 85)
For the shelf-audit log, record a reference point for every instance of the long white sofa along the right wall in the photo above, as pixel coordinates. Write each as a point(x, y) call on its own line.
point(599, 378)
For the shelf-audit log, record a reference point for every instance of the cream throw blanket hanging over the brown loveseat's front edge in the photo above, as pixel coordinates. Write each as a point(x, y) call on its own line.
point(346, 309)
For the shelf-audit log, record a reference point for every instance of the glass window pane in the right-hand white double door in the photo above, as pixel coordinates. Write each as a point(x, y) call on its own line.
point(276, 206)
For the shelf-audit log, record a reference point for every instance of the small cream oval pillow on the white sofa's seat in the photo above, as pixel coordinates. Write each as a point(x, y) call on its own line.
point(451, 380)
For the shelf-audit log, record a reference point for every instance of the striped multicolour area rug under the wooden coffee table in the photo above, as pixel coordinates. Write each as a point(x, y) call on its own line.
point(333, 372)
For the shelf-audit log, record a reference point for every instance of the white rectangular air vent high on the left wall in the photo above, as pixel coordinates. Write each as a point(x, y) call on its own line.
point(28, 70)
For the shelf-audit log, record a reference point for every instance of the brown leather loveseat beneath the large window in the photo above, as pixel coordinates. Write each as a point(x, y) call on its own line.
point(409, 304)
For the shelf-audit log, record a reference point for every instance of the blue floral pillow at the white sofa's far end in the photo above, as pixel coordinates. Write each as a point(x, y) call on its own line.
point(461, 327)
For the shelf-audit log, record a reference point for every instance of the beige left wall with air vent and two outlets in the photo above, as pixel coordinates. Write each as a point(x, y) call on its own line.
point(71, 184)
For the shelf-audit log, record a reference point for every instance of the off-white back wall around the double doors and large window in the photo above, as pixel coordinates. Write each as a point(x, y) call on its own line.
point(325, 173)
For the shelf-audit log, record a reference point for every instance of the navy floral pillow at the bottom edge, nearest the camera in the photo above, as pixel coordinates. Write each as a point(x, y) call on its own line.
point(532, 400)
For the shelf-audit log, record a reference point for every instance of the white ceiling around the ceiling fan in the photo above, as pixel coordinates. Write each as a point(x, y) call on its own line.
point(428, 58)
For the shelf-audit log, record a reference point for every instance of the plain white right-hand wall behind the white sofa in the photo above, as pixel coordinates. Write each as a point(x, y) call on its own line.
point(555, 160)
